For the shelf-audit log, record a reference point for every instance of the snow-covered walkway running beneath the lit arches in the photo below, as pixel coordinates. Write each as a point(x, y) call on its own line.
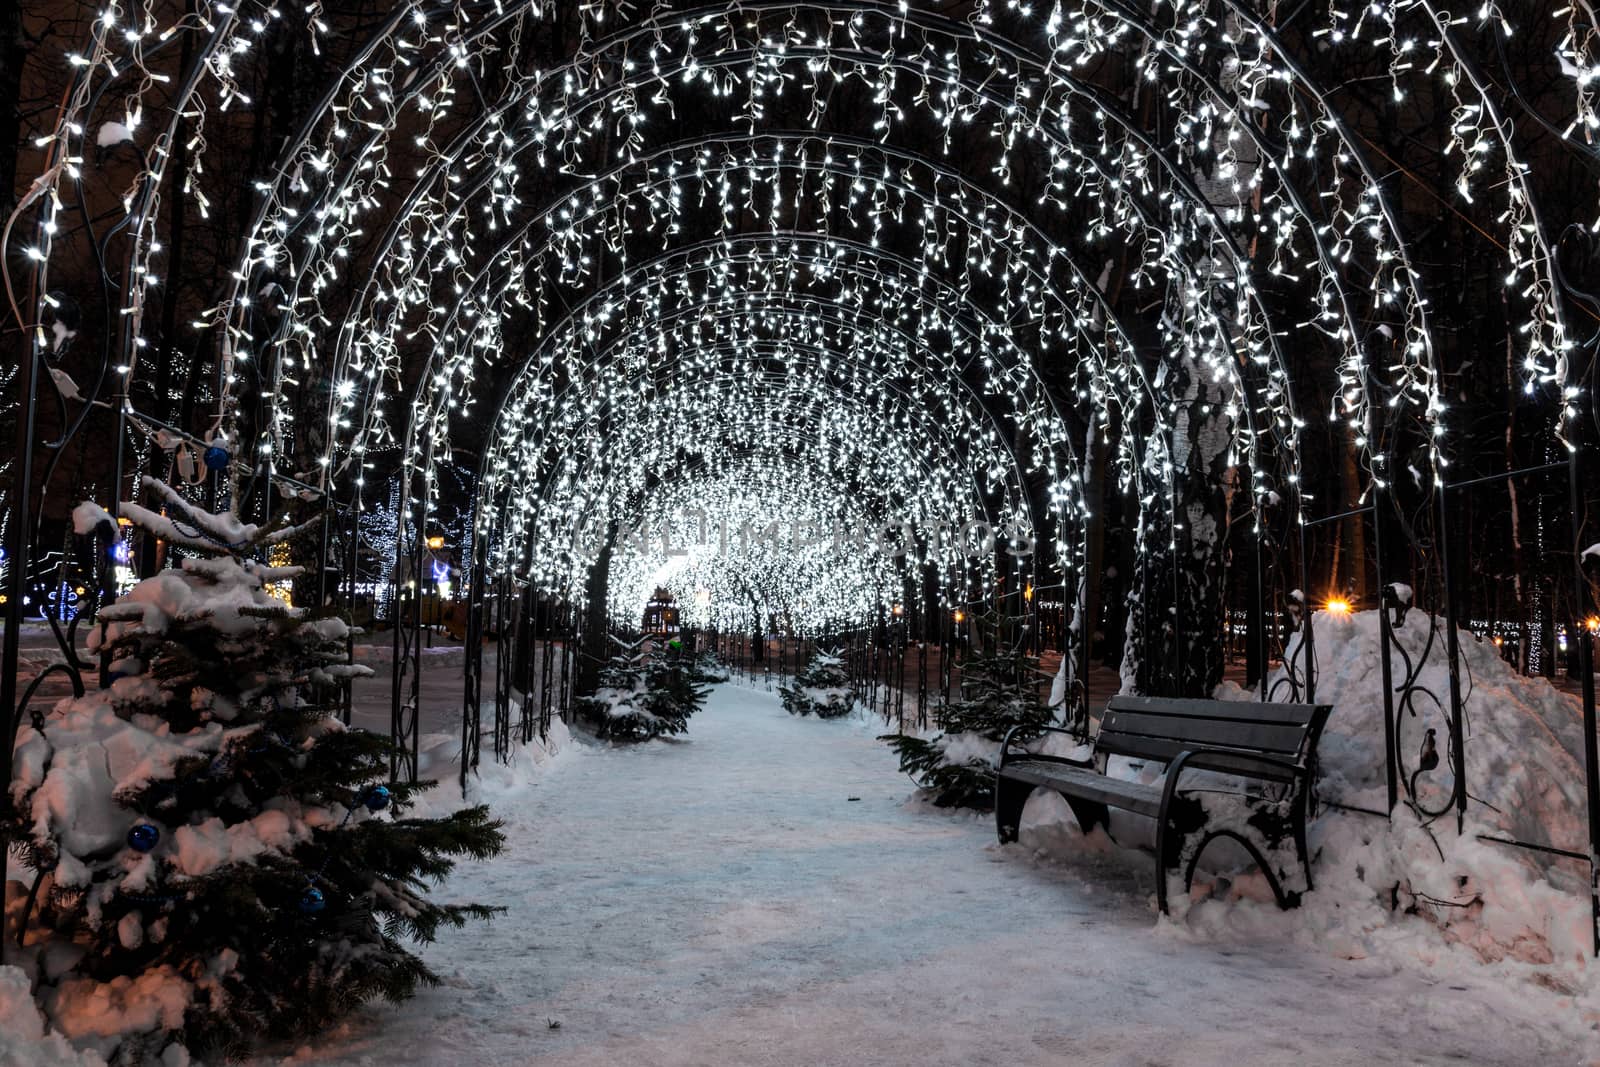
point(727, 900)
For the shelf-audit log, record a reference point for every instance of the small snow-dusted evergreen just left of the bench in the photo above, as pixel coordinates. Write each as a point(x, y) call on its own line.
point(958, 765)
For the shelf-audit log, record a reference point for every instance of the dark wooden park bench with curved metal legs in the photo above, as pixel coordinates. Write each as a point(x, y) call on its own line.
point(1266, 751)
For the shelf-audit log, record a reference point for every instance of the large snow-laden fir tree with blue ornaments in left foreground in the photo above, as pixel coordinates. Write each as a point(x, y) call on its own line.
point(217, 857)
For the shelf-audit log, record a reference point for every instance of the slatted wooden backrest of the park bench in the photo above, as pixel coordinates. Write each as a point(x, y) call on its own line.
point(1158, 729)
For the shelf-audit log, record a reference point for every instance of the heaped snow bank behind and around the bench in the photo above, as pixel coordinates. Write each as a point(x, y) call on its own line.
point(1414, 889)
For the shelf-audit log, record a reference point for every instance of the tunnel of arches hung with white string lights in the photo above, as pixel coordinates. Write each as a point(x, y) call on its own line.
point(817, 313)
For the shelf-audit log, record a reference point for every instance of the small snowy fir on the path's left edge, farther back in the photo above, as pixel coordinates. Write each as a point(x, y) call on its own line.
point(646, 692)
